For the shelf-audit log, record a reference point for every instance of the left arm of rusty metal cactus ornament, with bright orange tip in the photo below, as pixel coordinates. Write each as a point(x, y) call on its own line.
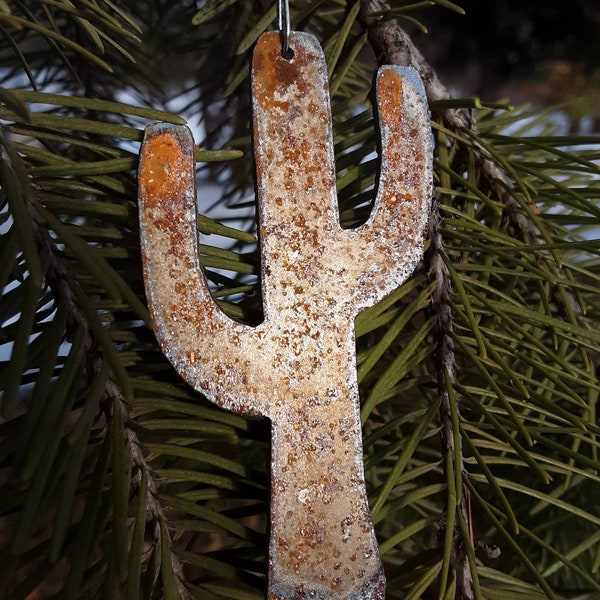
point(196, 336)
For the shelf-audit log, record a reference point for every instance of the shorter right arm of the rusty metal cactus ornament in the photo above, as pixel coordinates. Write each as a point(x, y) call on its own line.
point(391, 242)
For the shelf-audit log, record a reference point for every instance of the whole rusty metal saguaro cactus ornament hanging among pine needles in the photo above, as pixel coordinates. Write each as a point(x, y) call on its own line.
point(298, 366)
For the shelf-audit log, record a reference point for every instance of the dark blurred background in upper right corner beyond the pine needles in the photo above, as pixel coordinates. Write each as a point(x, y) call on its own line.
point(538, 51)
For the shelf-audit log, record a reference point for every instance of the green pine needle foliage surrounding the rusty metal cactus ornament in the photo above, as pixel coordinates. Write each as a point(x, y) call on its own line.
point(478, 376)
